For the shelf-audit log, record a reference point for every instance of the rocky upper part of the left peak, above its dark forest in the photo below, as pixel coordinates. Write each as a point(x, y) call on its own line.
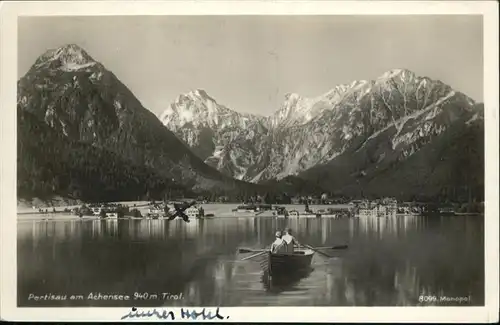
point(79, 98)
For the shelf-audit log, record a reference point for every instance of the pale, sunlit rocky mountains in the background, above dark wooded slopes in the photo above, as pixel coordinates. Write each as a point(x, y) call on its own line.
point(307, 132)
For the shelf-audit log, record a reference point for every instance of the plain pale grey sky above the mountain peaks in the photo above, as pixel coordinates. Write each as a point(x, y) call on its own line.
point(249, 63)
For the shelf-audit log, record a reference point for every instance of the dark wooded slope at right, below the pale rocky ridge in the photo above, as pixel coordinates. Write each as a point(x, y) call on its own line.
point(448, 165)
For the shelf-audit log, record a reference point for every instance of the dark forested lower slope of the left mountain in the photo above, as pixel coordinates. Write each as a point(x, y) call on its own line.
point(49, 164)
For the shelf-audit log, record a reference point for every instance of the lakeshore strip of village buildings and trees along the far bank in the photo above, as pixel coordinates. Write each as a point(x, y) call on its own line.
point(305, 206)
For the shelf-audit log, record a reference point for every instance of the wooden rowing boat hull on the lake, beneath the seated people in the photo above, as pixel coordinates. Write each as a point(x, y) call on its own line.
point(287, 263)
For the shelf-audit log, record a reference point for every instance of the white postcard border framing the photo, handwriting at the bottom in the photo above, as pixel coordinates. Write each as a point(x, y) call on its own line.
point(10, 11)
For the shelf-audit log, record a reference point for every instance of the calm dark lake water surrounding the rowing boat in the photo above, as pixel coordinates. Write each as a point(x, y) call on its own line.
point(389, 262)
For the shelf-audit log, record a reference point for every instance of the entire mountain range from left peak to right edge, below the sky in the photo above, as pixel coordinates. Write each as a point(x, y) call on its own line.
point(400, 134)
